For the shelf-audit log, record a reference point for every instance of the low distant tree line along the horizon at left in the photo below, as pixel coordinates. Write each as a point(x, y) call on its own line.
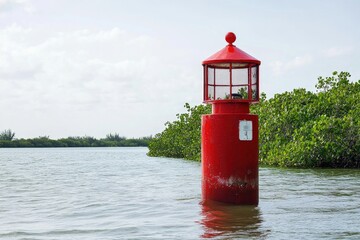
point(7, 140)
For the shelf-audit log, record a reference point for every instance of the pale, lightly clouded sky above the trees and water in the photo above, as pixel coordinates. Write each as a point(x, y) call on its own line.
point(94, 67)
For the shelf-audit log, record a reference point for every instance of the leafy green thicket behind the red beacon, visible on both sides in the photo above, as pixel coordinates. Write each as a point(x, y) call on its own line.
point(297, 129)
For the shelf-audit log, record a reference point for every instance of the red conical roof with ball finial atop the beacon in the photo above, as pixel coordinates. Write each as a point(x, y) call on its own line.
point(231, 53)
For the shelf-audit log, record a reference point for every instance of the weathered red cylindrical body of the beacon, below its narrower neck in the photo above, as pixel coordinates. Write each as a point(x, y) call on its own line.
point(229, 165)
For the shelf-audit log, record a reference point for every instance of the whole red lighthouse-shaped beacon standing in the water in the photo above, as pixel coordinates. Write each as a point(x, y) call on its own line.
point(229, 136)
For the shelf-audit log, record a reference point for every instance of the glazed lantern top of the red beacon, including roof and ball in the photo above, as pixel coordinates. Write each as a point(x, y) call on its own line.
point(231, 75)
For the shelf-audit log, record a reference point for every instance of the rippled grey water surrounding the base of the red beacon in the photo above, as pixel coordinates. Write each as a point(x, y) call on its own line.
point(120, 193)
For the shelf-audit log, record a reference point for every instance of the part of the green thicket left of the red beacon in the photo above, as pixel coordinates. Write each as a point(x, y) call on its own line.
point(181, 138)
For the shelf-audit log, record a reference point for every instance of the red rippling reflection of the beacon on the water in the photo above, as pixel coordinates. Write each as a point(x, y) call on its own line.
point(219, 219)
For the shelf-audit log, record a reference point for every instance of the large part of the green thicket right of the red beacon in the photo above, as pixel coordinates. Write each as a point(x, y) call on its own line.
point(305, 129)
